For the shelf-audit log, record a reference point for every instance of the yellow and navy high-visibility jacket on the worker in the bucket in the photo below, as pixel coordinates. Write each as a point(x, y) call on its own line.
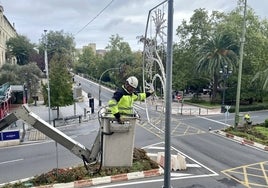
point(122, 102)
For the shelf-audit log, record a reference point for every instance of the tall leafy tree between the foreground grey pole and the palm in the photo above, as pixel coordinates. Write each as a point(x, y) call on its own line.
point(191, 36)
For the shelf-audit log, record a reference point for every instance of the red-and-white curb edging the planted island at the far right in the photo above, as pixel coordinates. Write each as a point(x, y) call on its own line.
point(241, 140)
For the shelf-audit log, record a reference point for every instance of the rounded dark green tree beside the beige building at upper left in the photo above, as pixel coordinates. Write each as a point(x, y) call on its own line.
point(20, 47)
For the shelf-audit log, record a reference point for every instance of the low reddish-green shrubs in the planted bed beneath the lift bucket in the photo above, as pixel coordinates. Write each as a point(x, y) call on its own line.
point(141, 162)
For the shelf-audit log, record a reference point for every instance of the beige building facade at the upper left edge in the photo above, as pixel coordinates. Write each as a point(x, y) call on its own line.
point(7, 31)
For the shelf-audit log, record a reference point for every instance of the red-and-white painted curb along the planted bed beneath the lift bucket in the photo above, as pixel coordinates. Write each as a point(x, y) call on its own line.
point(107, 179)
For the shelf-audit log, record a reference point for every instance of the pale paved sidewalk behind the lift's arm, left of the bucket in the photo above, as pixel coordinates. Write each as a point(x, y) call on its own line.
point(72, 114)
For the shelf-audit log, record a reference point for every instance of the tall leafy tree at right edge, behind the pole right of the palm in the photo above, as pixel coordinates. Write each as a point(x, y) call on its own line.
point(255, 51)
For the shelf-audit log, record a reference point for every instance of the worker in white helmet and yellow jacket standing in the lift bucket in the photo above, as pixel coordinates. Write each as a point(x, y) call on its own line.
point(122, 101)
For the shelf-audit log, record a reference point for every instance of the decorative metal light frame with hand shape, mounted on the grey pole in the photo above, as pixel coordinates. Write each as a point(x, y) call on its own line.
point(155, 41)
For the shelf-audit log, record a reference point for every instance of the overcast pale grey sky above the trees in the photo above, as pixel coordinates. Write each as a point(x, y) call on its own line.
point(124, 17)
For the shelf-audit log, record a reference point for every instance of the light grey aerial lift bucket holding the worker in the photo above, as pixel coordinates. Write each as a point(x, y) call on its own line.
point(118, 141)
